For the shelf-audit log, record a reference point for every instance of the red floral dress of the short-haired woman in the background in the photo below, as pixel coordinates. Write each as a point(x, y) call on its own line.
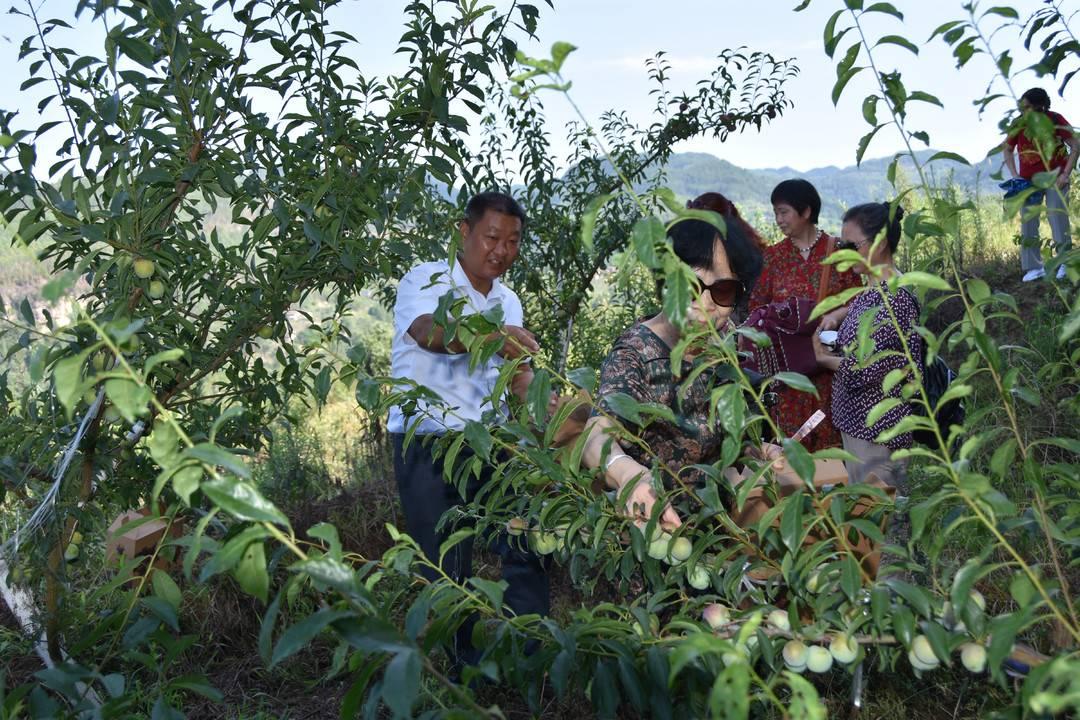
point(787, 274)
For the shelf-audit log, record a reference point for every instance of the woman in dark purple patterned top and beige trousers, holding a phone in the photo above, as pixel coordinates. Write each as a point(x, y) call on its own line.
point(860, 377)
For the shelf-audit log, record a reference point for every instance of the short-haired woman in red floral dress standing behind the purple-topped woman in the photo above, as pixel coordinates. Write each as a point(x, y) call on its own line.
point(793, 268)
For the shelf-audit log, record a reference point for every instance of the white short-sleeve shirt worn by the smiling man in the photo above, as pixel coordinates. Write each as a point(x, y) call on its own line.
point(464, 392)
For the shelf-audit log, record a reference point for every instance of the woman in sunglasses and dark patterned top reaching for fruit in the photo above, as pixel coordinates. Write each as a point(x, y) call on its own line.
point(640, 368)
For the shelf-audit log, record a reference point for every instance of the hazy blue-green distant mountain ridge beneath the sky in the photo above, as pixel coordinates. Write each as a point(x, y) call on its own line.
point(690, 174)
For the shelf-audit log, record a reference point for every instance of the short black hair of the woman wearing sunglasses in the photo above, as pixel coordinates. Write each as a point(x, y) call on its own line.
point(694, 241)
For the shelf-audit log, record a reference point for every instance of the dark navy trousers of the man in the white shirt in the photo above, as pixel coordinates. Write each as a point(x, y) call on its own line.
point(425, 498)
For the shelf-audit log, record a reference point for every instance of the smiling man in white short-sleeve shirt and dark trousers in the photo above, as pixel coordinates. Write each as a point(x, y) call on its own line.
point(491, 238)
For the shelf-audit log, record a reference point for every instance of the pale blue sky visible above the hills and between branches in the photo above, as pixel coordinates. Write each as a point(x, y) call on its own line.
point(615, 37)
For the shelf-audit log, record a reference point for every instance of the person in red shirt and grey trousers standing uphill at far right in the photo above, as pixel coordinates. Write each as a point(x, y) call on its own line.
point(1041, 151)
